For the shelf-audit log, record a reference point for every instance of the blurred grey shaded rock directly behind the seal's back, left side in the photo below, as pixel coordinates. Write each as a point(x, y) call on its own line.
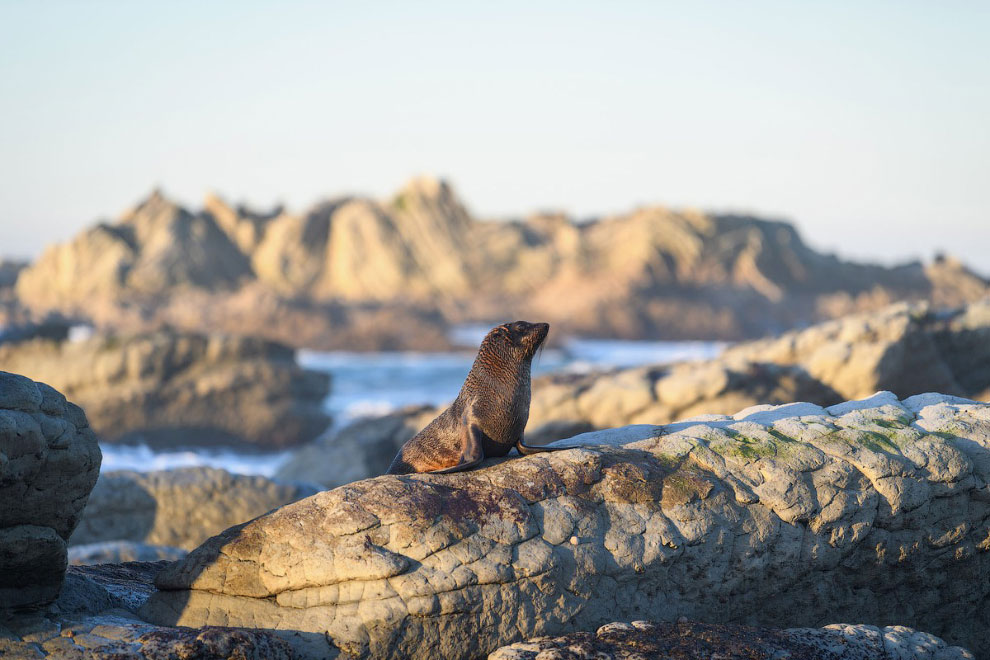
point(360, 450)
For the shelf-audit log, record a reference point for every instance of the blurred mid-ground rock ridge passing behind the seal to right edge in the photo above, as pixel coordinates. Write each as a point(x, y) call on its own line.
point(906, 348)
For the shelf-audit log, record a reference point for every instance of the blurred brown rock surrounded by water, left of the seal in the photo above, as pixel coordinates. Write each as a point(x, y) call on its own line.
point(181, 388)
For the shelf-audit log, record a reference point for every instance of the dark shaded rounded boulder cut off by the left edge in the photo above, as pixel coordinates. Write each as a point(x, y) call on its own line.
point(49, 461)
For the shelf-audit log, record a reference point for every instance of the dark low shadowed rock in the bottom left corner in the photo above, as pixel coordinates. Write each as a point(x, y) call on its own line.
point(94, 619)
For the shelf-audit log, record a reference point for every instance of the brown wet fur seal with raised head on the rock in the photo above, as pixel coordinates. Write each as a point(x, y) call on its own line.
point(489, 415)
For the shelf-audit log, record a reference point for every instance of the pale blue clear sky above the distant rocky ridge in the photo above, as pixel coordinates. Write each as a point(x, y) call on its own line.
point(866, 123)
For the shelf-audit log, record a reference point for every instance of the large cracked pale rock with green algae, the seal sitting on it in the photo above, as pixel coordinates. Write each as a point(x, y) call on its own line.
point(875, 511)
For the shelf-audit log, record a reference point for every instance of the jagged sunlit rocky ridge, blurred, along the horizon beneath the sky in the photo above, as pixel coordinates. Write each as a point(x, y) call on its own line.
point(360, 273)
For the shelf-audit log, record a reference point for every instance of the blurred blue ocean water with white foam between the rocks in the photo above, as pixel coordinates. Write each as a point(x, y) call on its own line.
point(366, 384)
